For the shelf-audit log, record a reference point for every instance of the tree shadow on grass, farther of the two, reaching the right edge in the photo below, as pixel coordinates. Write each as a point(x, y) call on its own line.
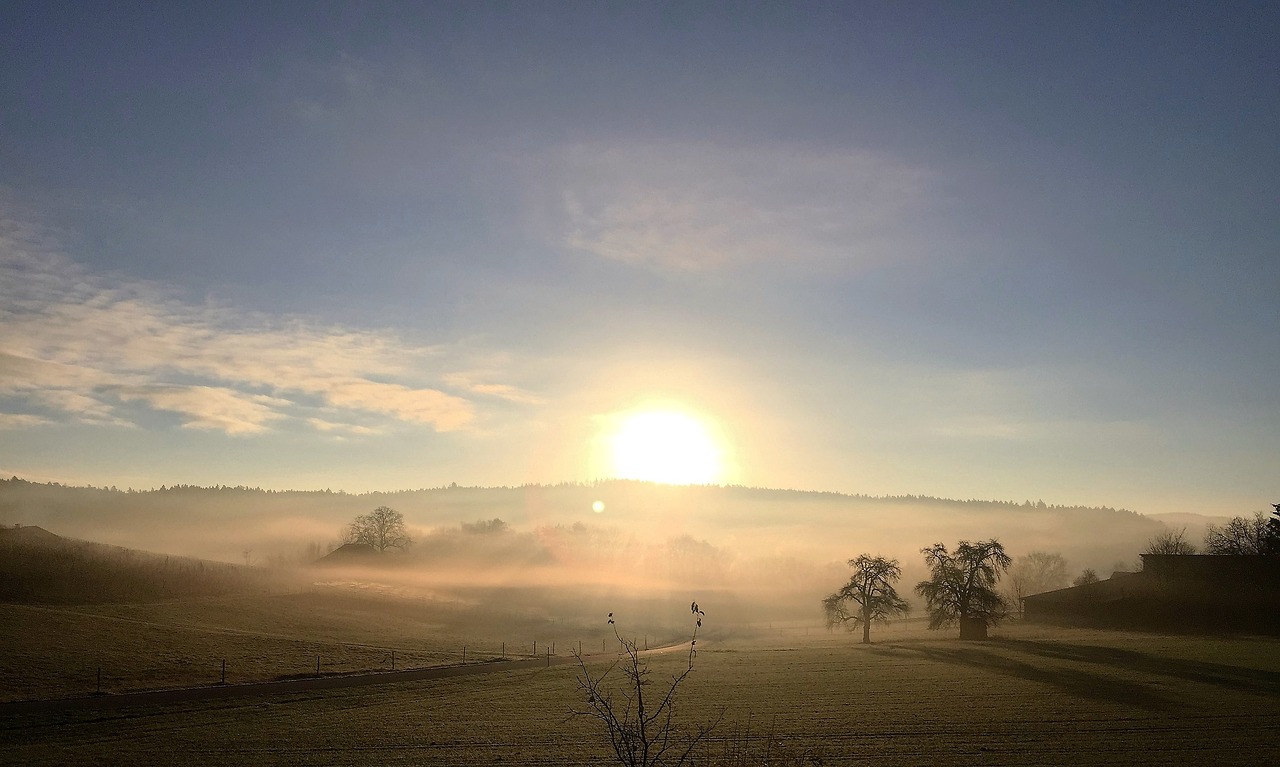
point(1235, 678)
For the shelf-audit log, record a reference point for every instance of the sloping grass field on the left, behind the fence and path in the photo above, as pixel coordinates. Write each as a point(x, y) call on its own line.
point(57, 651)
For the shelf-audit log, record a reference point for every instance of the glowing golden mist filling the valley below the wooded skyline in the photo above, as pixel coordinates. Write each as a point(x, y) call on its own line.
point(779, 551)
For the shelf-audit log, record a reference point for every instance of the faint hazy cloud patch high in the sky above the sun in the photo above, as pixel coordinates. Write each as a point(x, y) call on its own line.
point(693, 208)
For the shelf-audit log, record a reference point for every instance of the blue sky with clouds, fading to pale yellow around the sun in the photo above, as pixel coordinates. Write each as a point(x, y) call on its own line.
point(968, 250)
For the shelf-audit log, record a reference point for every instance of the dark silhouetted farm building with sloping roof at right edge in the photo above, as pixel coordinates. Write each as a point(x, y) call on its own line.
point(1173, 592)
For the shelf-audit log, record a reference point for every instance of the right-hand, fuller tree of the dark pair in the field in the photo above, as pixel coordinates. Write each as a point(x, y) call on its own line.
point(963, 586)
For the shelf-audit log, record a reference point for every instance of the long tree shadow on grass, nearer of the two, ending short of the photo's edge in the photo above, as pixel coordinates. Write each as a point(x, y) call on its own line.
point(1073, 682)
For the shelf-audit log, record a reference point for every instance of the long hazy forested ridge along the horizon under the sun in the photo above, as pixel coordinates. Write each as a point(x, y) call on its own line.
point(742, 524)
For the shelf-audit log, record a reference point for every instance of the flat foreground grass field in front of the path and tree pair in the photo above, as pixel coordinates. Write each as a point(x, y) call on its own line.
point(1027, 697)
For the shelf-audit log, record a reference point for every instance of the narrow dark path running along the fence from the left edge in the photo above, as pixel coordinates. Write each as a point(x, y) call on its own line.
point(294, 686)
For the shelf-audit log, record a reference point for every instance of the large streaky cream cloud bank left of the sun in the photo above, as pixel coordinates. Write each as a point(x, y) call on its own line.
point(76, 345)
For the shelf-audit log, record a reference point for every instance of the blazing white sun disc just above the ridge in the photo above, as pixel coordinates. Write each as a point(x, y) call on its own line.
point(666, 446)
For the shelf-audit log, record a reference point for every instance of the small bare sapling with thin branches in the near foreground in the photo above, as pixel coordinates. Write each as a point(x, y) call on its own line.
point(639, 723)
